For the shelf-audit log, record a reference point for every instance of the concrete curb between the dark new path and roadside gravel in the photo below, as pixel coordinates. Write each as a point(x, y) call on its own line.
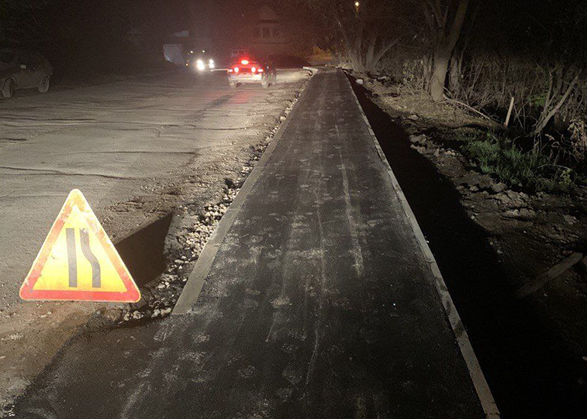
point(193, 286)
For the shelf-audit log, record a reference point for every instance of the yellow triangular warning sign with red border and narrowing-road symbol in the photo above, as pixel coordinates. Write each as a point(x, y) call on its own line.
point(78, 261)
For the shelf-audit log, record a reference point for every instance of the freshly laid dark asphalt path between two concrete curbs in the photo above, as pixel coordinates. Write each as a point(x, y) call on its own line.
point(319, 303)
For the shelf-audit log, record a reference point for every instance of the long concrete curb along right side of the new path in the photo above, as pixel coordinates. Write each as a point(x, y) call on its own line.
point(478, 378)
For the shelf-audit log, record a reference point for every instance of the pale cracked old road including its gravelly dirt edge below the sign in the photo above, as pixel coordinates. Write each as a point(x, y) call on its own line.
point(134, 148)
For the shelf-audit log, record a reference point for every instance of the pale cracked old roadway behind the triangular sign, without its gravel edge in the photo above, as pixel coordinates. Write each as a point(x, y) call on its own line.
point(108, 141)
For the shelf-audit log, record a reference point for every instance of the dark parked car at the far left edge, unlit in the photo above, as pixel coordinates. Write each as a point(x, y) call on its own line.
point(23, 70)
